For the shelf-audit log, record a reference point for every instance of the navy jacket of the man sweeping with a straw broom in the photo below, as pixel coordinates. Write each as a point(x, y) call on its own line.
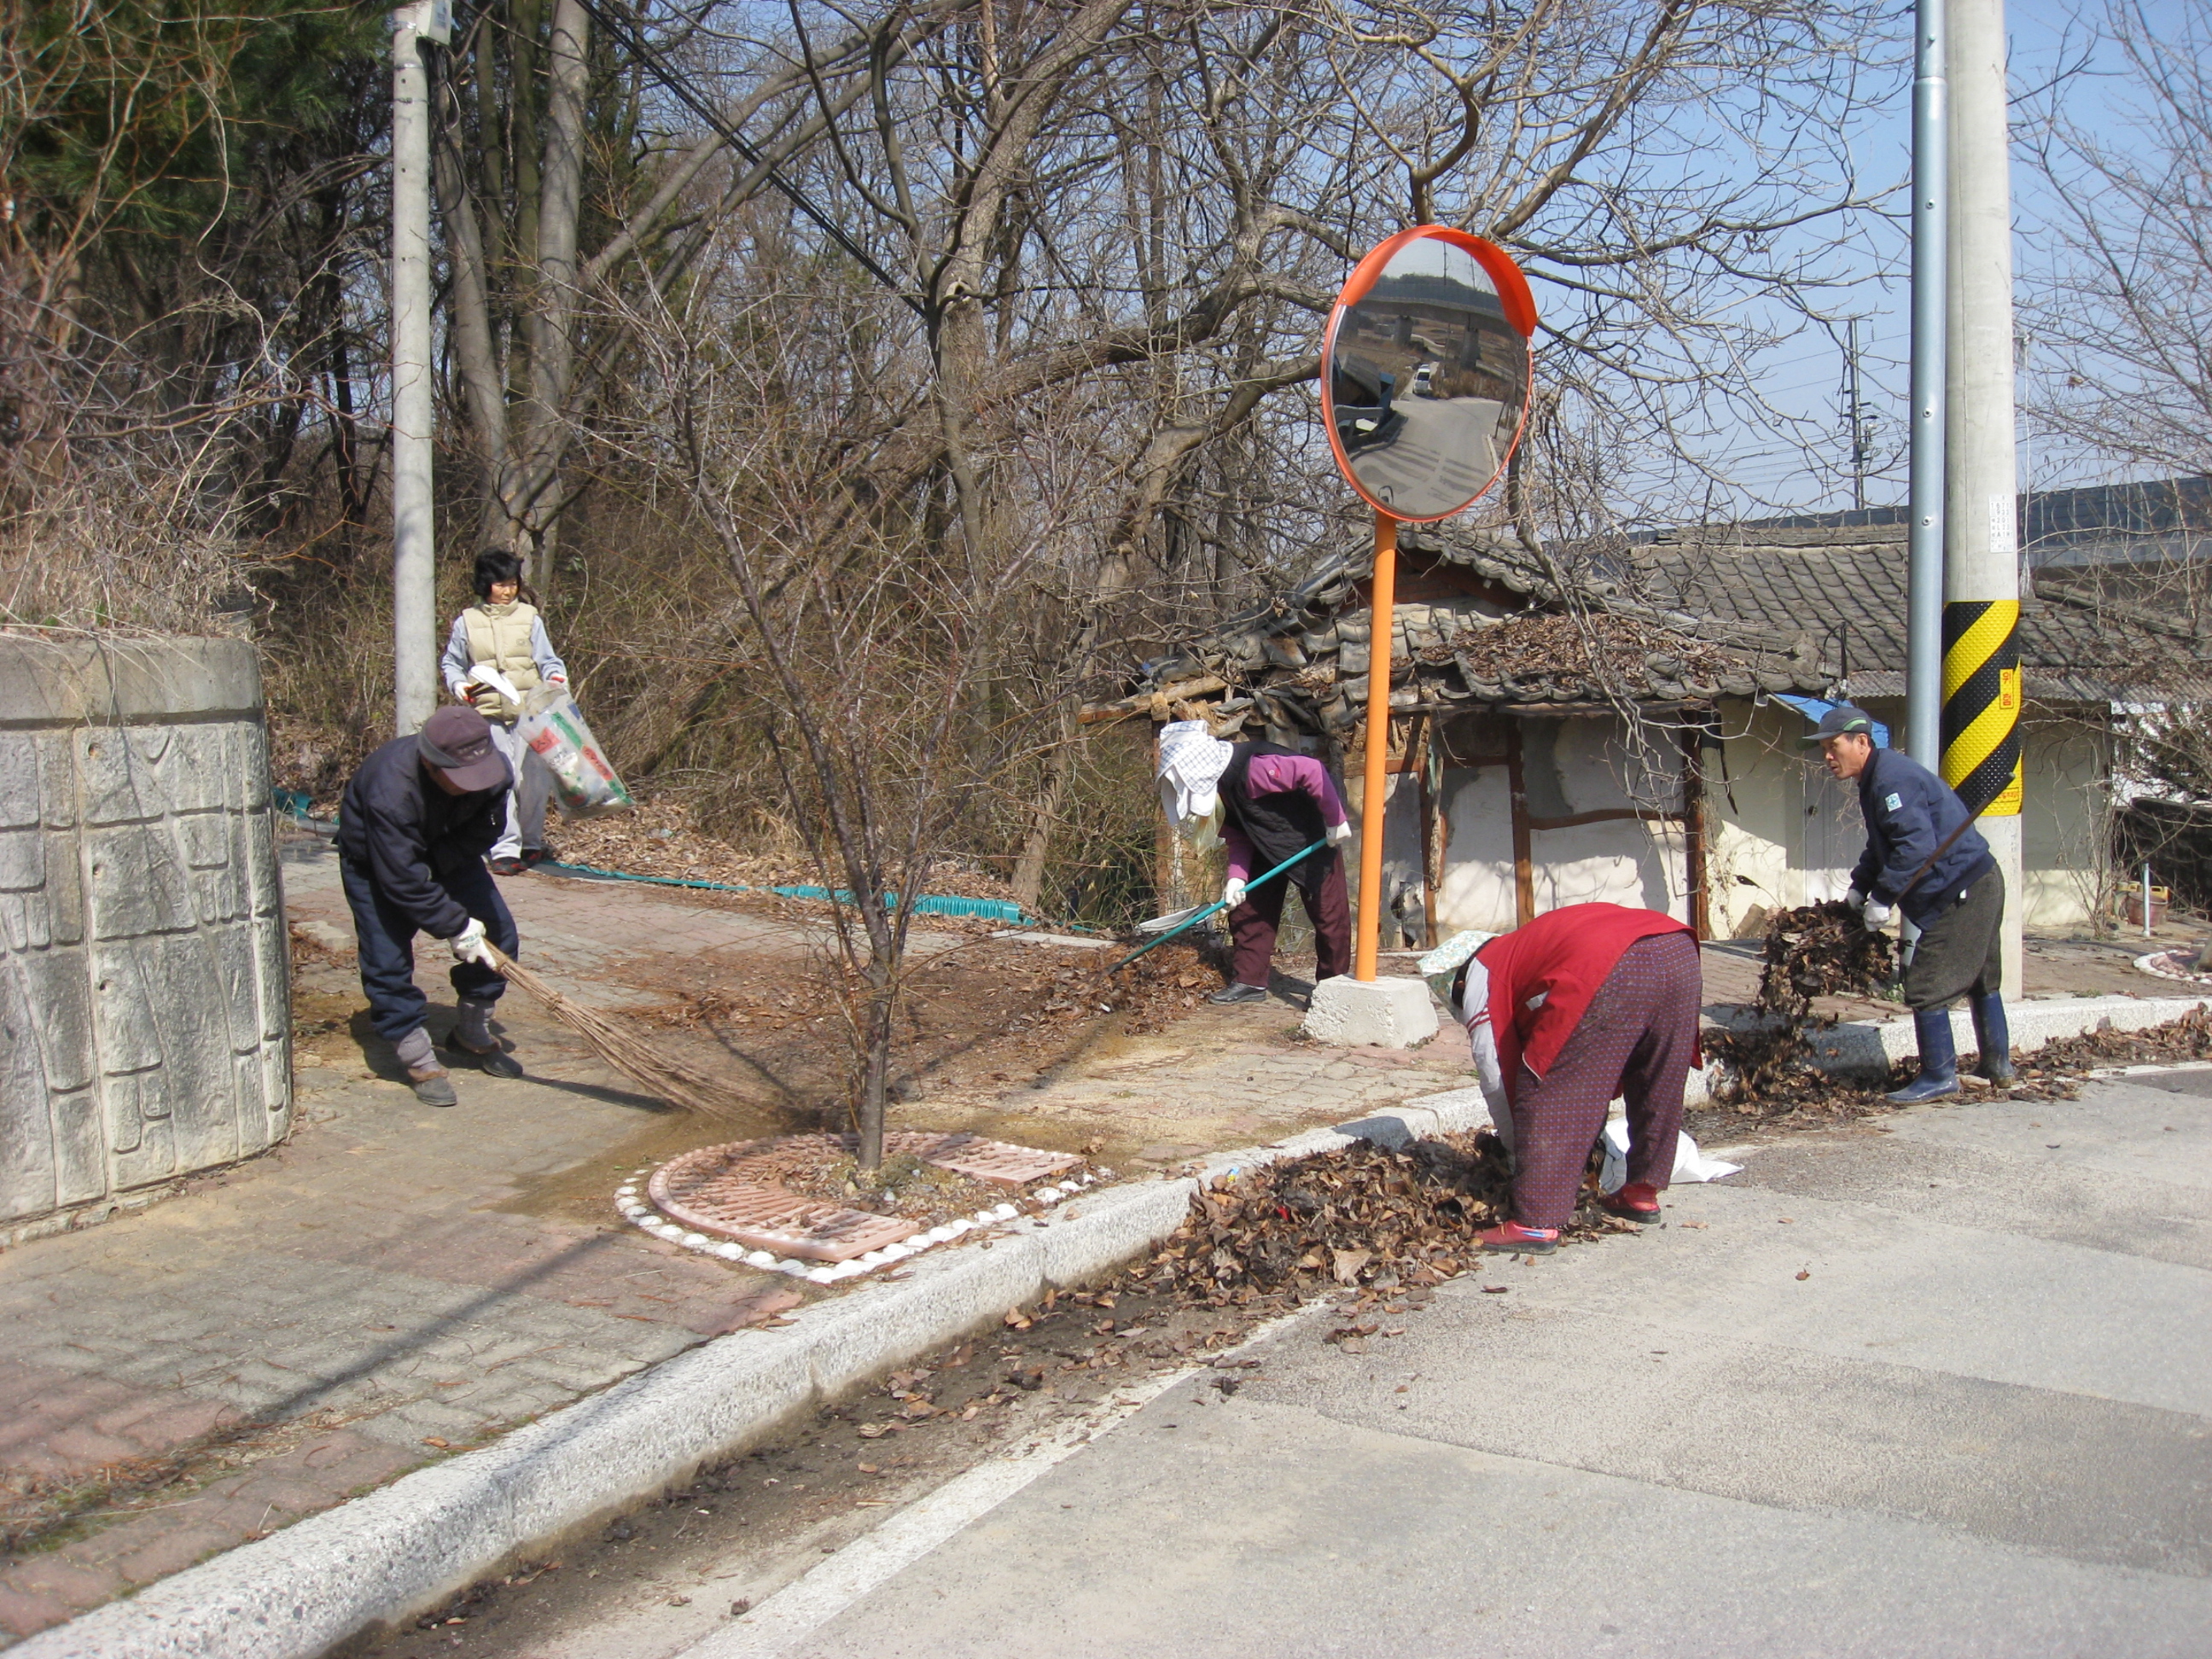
point(408, 833)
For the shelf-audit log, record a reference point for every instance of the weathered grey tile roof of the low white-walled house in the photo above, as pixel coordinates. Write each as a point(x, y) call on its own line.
point(1680, 620)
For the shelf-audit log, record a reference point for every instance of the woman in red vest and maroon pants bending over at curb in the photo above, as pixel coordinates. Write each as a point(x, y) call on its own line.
point(1565, 1014)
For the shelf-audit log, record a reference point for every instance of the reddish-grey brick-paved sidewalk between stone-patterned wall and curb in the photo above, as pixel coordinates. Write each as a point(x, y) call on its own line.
point(401, 1282)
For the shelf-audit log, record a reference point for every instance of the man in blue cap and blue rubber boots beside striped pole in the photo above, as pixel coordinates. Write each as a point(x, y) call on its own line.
point(1928, 859)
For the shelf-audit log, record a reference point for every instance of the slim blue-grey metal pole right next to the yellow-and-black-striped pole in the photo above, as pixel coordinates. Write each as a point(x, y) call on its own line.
point(1923, 607)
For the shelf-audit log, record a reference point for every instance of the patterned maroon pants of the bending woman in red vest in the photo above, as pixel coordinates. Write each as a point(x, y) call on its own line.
point(1634, 1041)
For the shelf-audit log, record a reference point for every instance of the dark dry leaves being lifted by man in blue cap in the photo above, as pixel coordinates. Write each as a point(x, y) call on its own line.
point(1811, 952)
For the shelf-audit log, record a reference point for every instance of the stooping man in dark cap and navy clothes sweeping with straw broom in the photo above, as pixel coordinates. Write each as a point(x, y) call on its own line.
point(413, 835)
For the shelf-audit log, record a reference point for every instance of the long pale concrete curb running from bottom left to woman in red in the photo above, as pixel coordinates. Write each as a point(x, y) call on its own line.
point(428, 1536)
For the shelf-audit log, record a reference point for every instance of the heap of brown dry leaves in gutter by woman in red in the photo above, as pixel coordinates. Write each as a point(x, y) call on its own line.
point(1364, 1218)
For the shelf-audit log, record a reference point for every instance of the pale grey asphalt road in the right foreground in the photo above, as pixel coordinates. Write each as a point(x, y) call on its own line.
point(1941, 1390)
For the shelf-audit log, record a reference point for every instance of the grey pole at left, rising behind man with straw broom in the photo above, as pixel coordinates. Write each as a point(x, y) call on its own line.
point(415, 603)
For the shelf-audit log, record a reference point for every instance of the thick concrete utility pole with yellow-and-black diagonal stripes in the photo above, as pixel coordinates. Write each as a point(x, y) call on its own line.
point(1981, 616)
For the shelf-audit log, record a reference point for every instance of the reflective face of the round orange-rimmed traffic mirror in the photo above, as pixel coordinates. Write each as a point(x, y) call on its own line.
point(1428, 382)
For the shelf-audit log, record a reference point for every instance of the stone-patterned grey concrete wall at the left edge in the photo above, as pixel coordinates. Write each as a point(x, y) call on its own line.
point(145, 992)
